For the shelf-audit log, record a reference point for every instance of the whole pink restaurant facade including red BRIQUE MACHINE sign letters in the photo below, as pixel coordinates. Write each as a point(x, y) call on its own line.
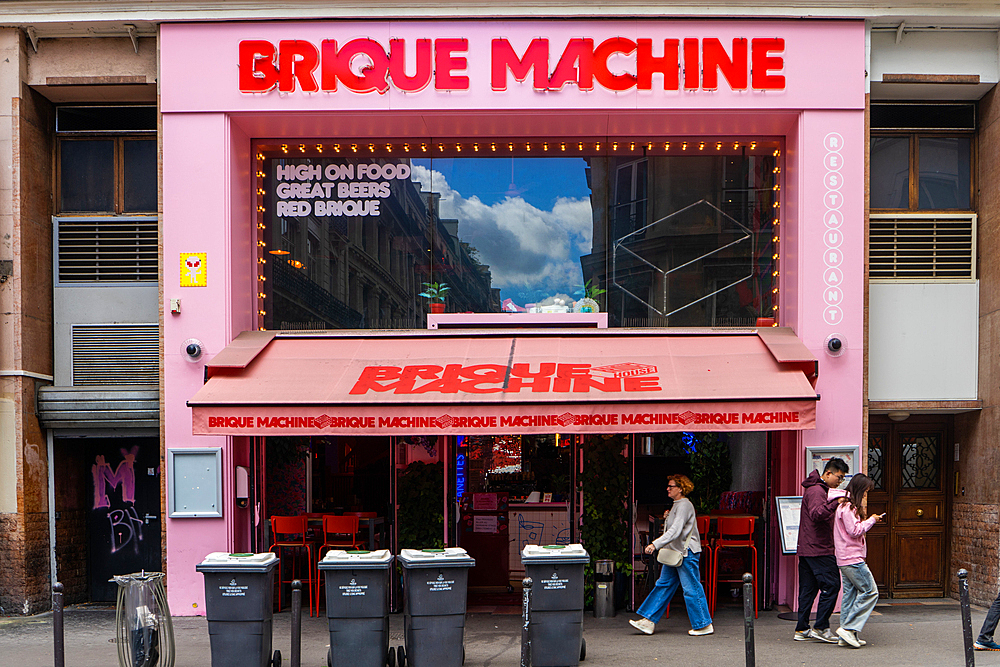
point(226, 88)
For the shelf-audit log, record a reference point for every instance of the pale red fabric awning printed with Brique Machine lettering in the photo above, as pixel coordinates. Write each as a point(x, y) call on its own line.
point(507, 382)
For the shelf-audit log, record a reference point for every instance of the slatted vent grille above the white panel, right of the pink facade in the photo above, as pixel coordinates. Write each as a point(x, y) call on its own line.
point(922, 247)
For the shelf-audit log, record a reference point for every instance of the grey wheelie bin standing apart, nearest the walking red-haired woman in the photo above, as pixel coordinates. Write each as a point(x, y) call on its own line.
point(556, 627)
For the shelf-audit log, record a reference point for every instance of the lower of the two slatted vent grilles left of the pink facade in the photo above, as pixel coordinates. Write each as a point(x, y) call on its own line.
point(115, 354)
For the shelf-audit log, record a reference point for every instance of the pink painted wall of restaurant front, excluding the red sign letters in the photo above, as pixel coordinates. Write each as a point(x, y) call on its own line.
point(208, 126)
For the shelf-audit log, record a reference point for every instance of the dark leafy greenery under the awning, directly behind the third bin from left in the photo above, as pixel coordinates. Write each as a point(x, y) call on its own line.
point(421, 514)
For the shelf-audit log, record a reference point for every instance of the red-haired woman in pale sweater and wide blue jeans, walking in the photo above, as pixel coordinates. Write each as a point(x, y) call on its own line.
point(680, 533)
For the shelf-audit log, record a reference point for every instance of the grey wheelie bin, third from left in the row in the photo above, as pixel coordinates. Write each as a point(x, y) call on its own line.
point(435, 583)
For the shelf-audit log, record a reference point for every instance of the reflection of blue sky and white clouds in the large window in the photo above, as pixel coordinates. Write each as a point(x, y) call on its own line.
point(529, 219)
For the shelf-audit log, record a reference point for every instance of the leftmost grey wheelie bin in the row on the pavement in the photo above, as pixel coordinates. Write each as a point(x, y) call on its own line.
point(239, 594)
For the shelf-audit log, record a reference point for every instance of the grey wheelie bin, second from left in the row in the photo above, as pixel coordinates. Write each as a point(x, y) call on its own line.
point(357, 608)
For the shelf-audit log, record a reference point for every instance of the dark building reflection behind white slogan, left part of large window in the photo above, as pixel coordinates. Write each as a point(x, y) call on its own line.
point(343, 271)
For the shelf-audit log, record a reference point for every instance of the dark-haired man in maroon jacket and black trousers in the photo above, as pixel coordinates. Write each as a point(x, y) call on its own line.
point(817, 564)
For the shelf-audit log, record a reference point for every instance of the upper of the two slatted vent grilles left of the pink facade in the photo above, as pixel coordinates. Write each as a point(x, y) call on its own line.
point(107, 249)
